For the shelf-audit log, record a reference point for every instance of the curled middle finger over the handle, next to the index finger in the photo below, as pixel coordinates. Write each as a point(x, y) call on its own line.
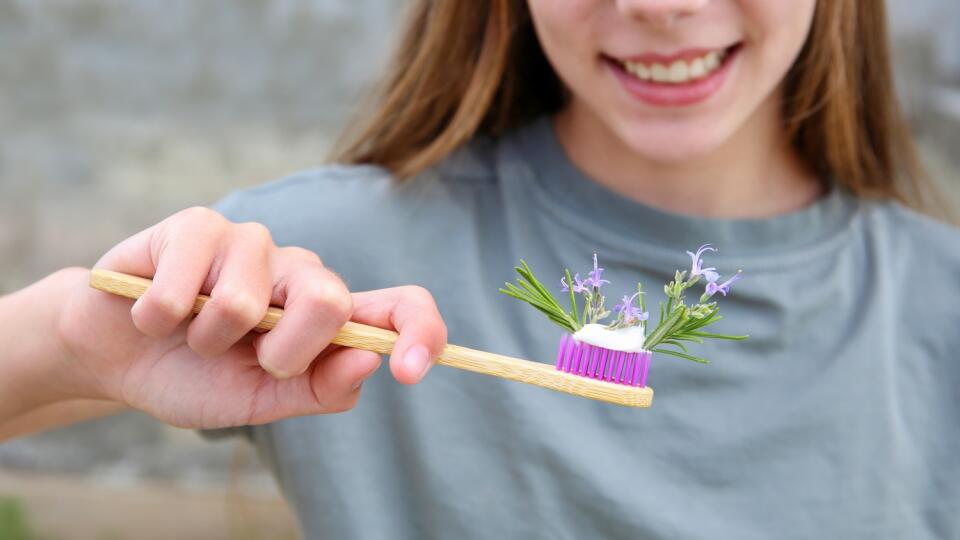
point(316, 304)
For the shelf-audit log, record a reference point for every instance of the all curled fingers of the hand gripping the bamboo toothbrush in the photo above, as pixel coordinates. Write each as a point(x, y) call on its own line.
point(198, 250)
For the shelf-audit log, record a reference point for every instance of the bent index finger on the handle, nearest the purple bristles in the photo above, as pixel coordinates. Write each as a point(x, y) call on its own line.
point(413, 313)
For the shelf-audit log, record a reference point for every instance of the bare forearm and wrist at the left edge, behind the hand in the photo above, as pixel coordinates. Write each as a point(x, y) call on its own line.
point(37, 370)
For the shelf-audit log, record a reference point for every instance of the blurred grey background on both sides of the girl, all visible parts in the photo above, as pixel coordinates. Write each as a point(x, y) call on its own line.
point(116, 114)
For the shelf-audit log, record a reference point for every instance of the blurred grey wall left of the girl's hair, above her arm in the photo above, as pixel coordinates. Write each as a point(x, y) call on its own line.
point(115, 114)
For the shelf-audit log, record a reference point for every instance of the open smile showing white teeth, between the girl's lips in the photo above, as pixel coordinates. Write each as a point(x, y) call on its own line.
point(677, 71)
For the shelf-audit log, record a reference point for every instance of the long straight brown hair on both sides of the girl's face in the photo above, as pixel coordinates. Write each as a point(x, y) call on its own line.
point(464, 68)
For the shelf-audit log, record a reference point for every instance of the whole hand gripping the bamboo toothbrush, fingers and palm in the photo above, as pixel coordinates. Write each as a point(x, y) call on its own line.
point(209, 371)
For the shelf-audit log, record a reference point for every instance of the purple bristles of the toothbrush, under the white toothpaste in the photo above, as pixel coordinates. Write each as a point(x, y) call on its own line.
point(601, 363)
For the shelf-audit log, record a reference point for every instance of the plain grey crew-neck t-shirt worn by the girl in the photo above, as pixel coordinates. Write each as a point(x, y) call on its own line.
point(838, 418)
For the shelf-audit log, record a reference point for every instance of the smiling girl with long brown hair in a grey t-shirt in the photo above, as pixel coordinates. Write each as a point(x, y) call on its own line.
point(549, 130)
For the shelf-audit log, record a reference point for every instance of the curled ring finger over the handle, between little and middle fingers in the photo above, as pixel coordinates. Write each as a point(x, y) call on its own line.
point(241, 294)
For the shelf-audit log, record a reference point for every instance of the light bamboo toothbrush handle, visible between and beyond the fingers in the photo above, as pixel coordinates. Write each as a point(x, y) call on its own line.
point(381, 341)
